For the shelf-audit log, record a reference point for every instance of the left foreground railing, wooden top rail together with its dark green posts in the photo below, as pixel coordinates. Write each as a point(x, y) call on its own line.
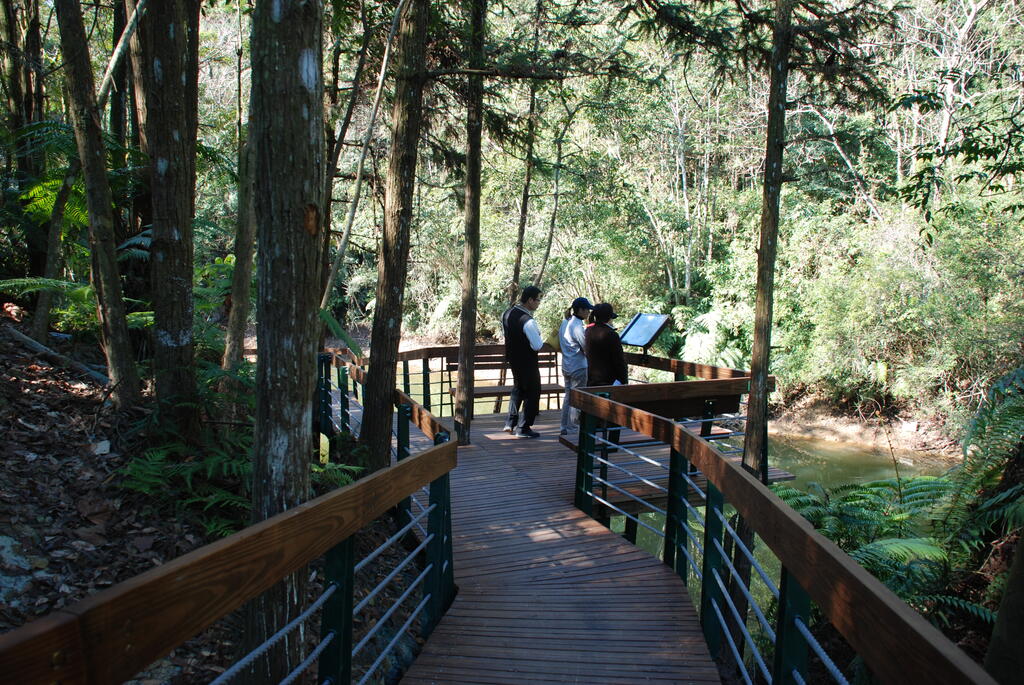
point(115, 634)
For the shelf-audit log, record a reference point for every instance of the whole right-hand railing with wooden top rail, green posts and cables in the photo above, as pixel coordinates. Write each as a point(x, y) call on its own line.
point(898, 645)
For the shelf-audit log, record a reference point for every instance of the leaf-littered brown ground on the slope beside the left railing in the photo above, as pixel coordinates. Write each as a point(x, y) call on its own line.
point(68, 530)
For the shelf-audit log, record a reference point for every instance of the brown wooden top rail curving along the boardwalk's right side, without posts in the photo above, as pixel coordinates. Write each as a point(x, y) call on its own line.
point(898, 644)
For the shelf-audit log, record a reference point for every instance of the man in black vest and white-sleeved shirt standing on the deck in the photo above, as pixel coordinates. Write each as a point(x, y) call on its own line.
point(523, 341)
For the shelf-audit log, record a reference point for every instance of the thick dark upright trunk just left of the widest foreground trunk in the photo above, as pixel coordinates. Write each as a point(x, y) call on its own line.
point(168, 74)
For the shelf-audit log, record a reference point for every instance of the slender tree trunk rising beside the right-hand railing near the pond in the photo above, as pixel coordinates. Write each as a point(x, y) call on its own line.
point(755, 444)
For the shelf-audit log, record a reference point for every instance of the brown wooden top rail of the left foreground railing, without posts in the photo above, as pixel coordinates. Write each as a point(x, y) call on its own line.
point(113, 635)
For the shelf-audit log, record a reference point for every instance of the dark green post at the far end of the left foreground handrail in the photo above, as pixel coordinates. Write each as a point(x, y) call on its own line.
point(441, 582)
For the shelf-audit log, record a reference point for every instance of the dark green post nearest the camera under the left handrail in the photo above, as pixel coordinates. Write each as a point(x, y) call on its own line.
point(336, 662)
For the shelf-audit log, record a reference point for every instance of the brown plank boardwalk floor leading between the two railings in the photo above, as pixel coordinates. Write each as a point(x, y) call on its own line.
point(547, 594)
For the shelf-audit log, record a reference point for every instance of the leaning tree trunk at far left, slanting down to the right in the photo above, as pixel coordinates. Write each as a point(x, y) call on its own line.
point(106, 279)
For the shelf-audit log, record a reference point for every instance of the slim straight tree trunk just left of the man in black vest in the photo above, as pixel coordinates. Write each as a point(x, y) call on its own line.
point(478, 11)
